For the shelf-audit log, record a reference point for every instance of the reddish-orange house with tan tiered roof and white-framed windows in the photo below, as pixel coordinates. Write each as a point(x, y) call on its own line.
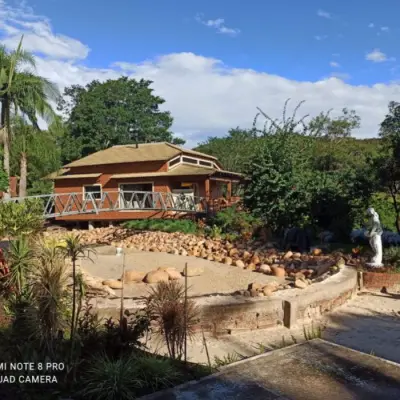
point(143, 181)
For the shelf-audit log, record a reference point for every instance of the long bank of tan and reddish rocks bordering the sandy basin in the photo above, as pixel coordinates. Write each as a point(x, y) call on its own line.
point(253, 256)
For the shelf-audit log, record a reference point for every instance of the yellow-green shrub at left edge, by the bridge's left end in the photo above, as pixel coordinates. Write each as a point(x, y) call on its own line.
point(20, 219)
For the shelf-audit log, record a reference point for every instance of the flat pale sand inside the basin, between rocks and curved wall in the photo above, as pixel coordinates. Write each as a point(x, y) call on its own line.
point(217, 278)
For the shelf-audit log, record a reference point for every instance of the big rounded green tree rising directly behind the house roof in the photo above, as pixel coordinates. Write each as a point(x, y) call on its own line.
point(116, 112)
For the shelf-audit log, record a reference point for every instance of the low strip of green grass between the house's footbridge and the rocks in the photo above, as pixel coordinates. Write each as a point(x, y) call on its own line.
point(163, 225)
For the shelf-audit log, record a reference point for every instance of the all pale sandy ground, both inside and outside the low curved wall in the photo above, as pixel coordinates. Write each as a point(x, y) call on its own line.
point(370, 322)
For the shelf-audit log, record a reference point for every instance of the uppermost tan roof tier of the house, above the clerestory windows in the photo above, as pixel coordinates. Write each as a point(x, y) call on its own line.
point(162, 151)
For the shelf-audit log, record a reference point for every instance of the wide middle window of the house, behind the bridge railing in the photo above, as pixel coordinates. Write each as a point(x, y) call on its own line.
point(136, 195)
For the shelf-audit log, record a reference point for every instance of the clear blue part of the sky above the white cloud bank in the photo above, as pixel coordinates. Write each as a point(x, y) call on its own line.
point(275, 37)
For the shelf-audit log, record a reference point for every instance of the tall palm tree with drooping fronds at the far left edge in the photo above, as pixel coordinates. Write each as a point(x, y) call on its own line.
point(21, 91)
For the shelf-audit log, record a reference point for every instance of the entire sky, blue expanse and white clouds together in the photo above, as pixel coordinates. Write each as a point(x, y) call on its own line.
point(215, 62)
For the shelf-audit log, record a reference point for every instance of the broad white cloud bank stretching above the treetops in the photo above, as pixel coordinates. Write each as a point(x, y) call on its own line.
point(207, 98)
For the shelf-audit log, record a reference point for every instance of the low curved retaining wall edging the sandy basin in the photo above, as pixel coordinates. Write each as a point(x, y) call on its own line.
point(229, 314)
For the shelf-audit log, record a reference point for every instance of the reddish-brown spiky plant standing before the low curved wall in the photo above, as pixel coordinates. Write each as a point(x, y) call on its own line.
point(175, 319)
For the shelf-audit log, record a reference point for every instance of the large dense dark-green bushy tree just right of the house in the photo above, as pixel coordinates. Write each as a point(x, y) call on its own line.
point(285, 188)
